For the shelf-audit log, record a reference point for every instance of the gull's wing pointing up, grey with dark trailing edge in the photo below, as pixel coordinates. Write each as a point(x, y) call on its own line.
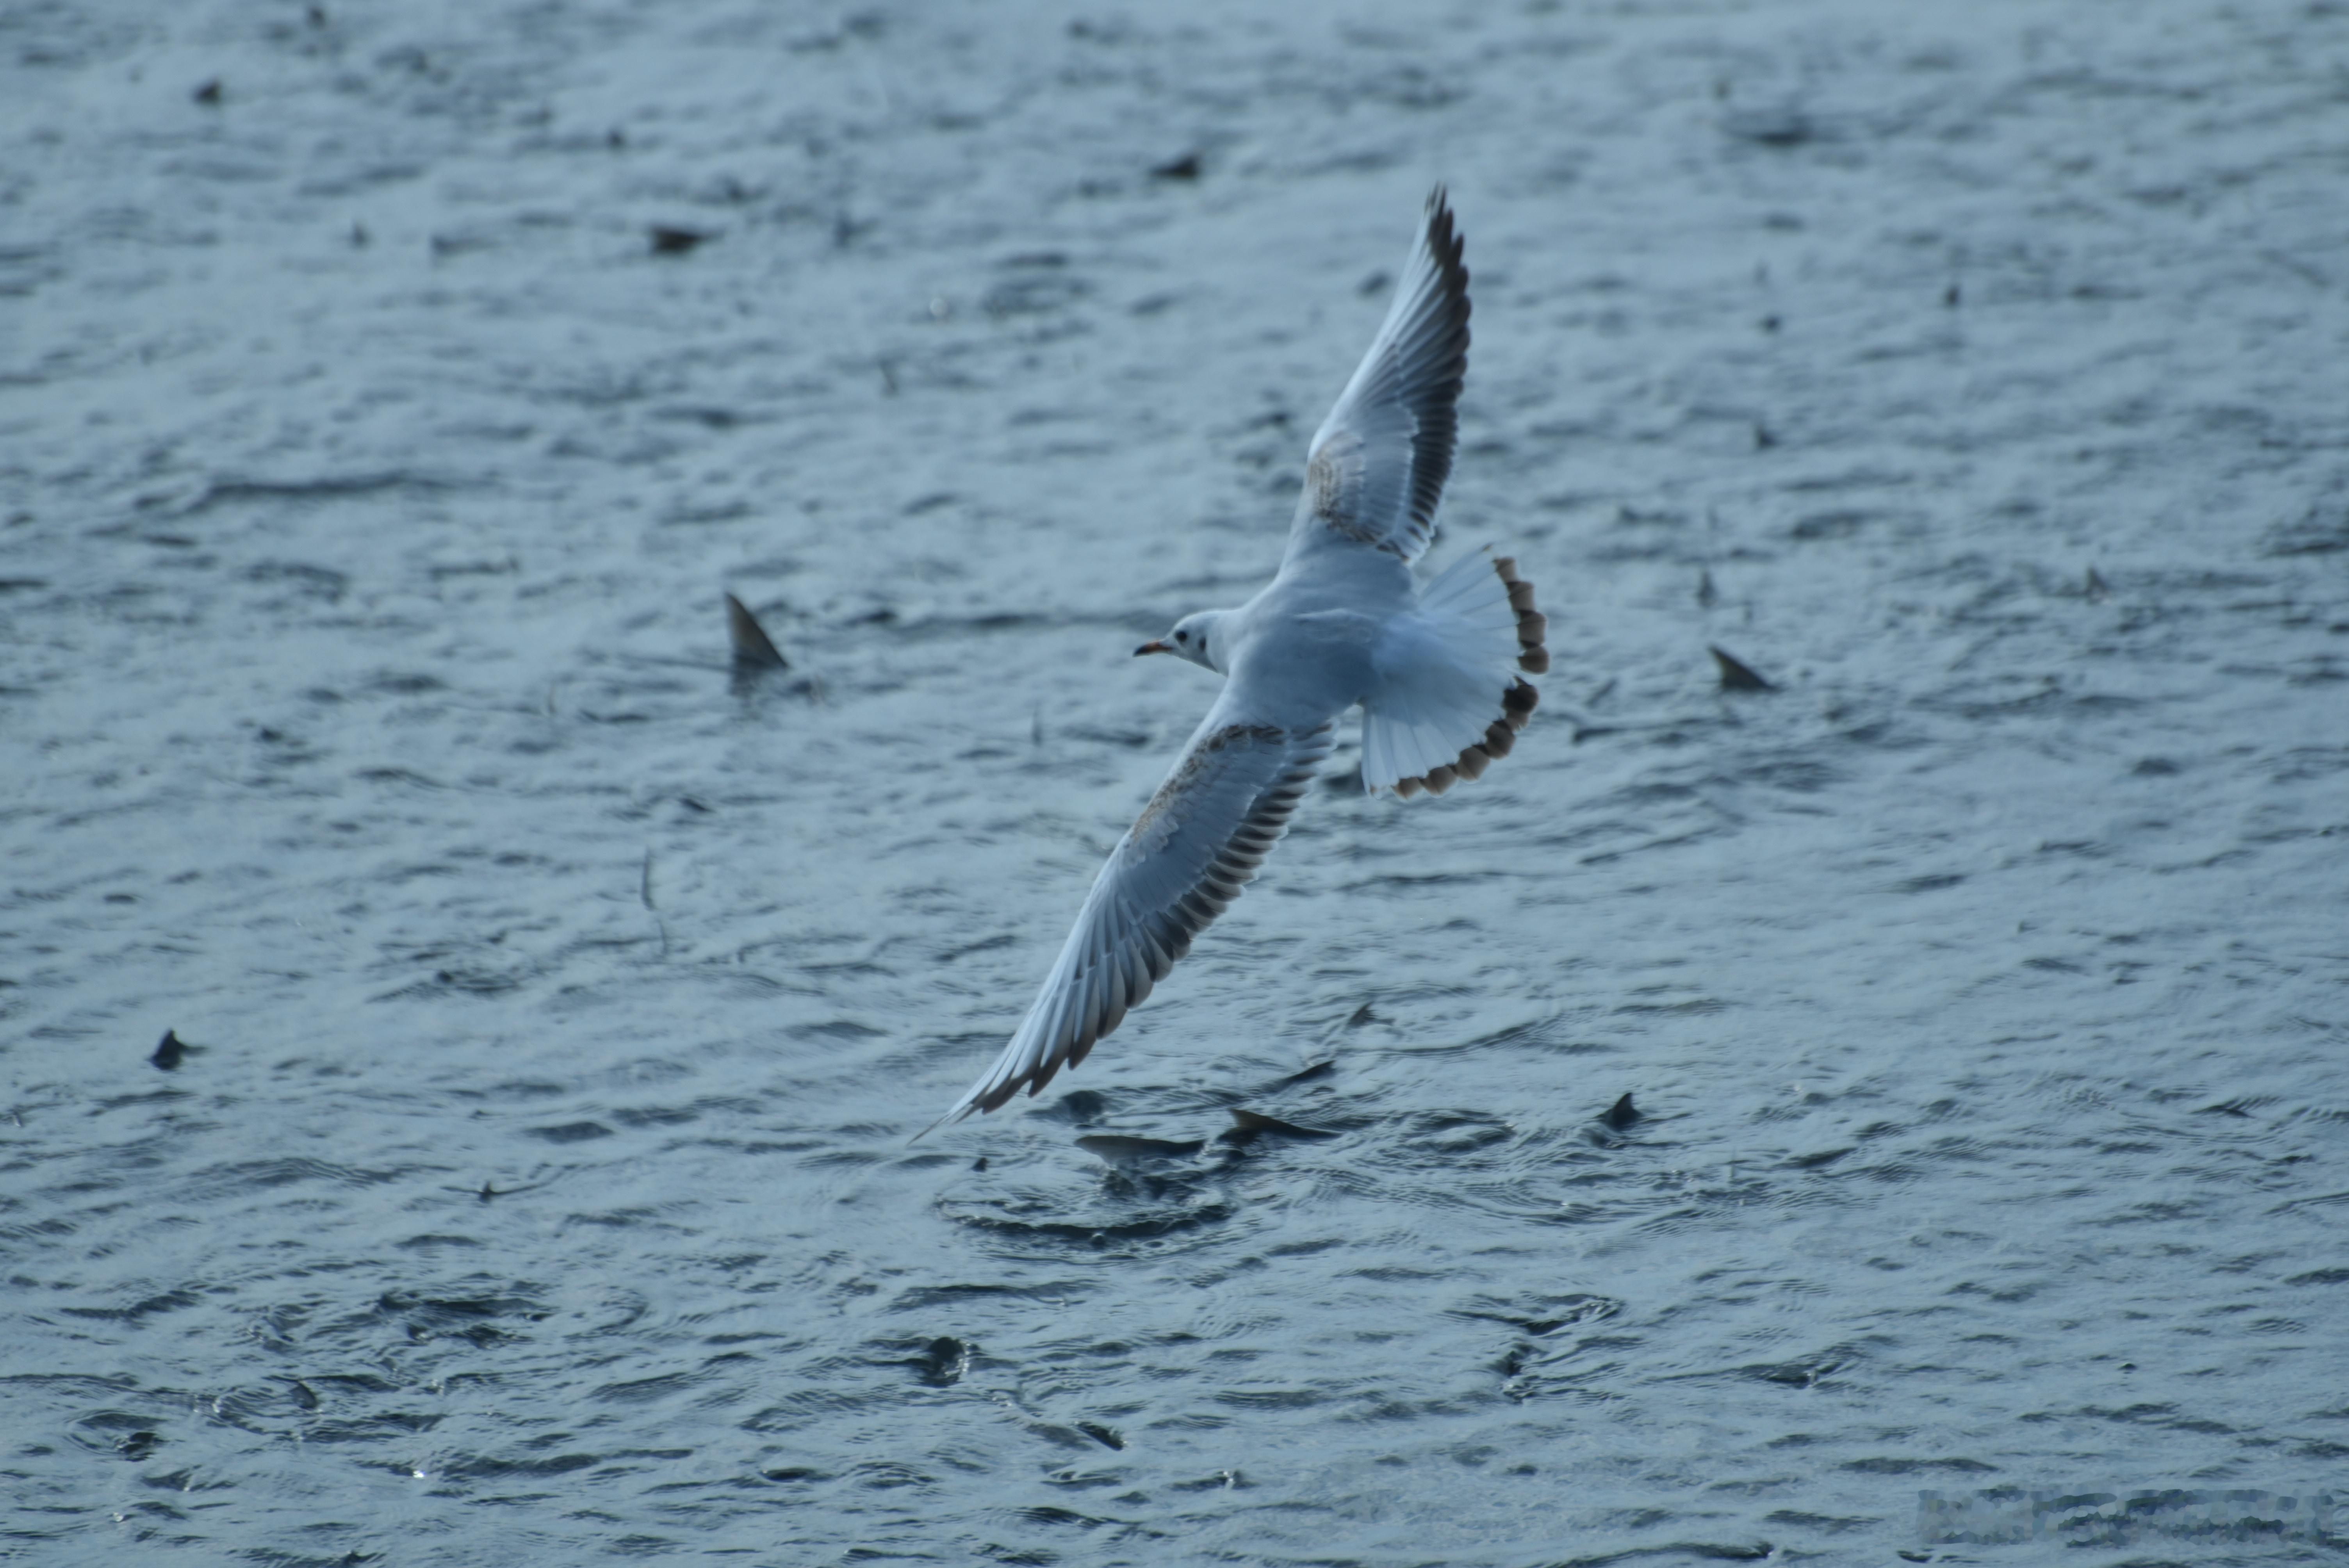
point(1380, 461)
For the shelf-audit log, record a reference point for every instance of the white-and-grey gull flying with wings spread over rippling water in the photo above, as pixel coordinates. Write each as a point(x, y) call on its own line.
point(1345, 623)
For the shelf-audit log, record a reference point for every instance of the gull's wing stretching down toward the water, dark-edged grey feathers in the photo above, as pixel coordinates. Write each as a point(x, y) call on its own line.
point(1178, 867)
